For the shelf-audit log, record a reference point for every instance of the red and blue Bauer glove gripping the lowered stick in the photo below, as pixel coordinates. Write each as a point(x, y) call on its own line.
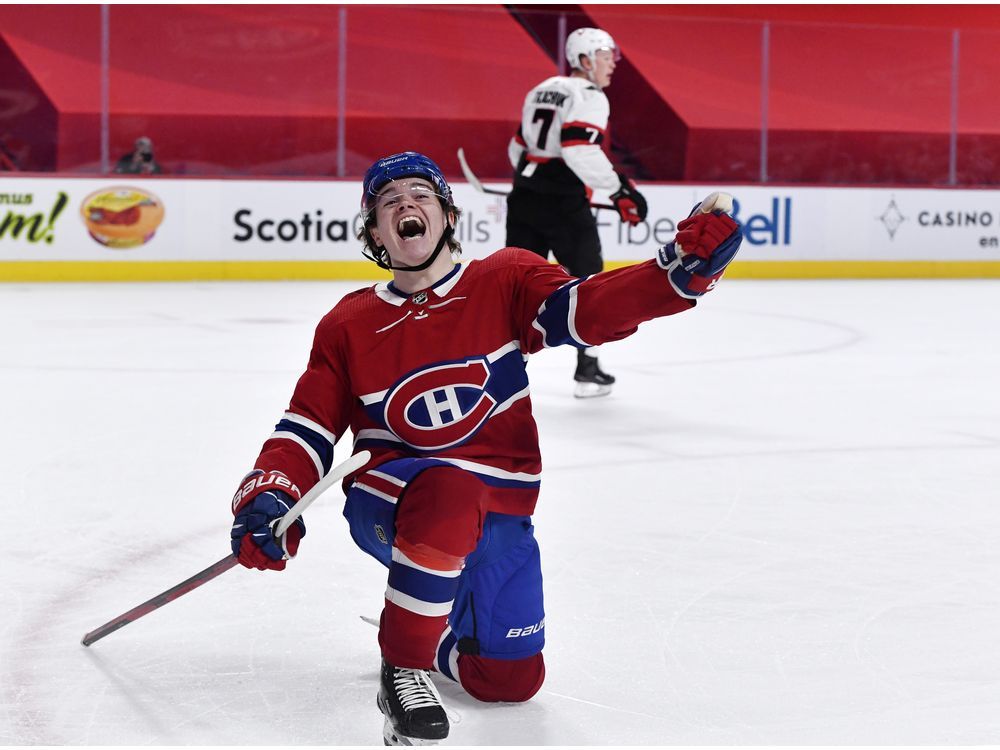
point(261, 501)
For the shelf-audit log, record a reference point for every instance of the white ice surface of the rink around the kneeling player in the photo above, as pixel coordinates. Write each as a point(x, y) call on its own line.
point(782, 527)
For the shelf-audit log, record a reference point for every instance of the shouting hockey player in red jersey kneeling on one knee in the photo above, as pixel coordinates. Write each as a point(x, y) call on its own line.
point(428, 373)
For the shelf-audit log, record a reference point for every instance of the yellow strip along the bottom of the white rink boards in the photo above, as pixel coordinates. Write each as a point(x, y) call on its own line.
point(346, 270)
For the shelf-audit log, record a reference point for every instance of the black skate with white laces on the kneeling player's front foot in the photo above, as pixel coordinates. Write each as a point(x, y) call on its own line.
point(412, 707)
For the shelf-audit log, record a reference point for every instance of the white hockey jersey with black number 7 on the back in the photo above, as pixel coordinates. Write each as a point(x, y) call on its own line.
point(557, 148)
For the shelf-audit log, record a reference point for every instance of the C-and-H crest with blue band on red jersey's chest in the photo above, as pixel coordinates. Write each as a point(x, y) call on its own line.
point(445, 404)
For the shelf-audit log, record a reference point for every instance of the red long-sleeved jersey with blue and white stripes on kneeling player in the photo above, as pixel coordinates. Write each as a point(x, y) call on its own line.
point(442, 372)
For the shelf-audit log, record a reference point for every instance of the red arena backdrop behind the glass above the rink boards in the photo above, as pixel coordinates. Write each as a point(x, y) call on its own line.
point(854, 94)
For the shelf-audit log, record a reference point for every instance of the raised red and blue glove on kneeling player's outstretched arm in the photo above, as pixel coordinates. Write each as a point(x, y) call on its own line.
point(705, 244)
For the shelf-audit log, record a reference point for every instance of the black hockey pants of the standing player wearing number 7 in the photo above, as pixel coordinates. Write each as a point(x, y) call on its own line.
point(562, 225)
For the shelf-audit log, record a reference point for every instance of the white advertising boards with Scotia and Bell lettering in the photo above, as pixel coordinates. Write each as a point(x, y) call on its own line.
point(126, 219)
